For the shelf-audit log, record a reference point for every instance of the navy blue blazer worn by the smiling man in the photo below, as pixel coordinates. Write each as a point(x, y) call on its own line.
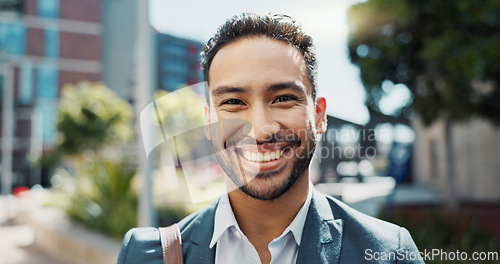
point(350, 237)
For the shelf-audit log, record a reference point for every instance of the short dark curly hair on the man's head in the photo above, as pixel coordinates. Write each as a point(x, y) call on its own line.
point(278, 26)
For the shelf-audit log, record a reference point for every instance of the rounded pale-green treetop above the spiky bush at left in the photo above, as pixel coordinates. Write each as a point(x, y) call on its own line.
point(91, 116)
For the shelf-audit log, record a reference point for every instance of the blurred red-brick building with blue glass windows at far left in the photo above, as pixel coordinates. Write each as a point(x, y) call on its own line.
point(45, 44)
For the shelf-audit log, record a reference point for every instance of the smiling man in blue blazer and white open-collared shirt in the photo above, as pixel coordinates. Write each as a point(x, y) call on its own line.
point(261, 70)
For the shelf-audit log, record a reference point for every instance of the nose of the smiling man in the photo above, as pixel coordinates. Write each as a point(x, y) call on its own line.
point(264, 123)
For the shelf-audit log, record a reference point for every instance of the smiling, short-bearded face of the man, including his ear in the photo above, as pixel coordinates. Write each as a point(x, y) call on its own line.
point(263, 83)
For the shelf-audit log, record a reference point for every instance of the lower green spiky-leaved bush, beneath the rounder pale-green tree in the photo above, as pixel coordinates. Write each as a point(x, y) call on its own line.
point(101, 197)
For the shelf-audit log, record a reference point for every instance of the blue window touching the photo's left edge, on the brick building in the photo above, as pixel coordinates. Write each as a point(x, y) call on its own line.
point(12, 38)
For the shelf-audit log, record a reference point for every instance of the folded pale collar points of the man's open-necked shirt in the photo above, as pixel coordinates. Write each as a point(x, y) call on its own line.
point(225, 219)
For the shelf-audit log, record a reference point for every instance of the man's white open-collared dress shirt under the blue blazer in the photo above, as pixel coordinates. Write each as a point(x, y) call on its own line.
point(234, 247)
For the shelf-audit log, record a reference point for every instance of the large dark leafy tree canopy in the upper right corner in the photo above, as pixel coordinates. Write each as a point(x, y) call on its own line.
point(445, 52)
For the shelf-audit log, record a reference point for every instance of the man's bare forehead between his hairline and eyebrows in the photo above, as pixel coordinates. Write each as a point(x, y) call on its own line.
point(257, 61)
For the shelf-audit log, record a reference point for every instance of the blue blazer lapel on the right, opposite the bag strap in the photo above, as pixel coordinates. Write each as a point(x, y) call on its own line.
point(322, 237)
